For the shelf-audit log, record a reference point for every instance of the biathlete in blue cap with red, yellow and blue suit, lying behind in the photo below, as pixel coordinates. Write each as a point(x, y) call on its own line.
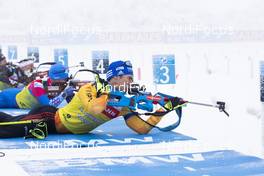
point(35, 94)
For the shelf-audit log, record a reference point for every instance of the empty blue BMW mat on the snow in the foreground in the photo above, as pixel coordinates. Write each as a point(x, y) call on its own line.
point(213, 163)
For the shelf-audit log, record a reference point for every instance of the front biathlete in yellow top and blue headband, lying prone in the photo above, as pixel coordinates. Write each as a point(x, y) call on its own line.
point(86, 111)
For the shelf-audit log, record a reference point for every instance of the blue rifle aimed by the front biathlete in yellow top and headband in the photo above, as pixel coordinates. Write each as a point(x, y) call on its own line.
point(146, 102)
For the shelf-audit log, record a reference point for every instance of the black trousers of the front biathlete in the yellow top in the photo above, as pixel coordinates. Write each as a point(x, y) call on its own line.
point(45, 113)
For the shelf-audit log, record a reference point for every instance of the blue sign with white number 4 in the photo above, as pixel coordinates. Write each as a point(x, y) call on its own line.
point(100, 61)
